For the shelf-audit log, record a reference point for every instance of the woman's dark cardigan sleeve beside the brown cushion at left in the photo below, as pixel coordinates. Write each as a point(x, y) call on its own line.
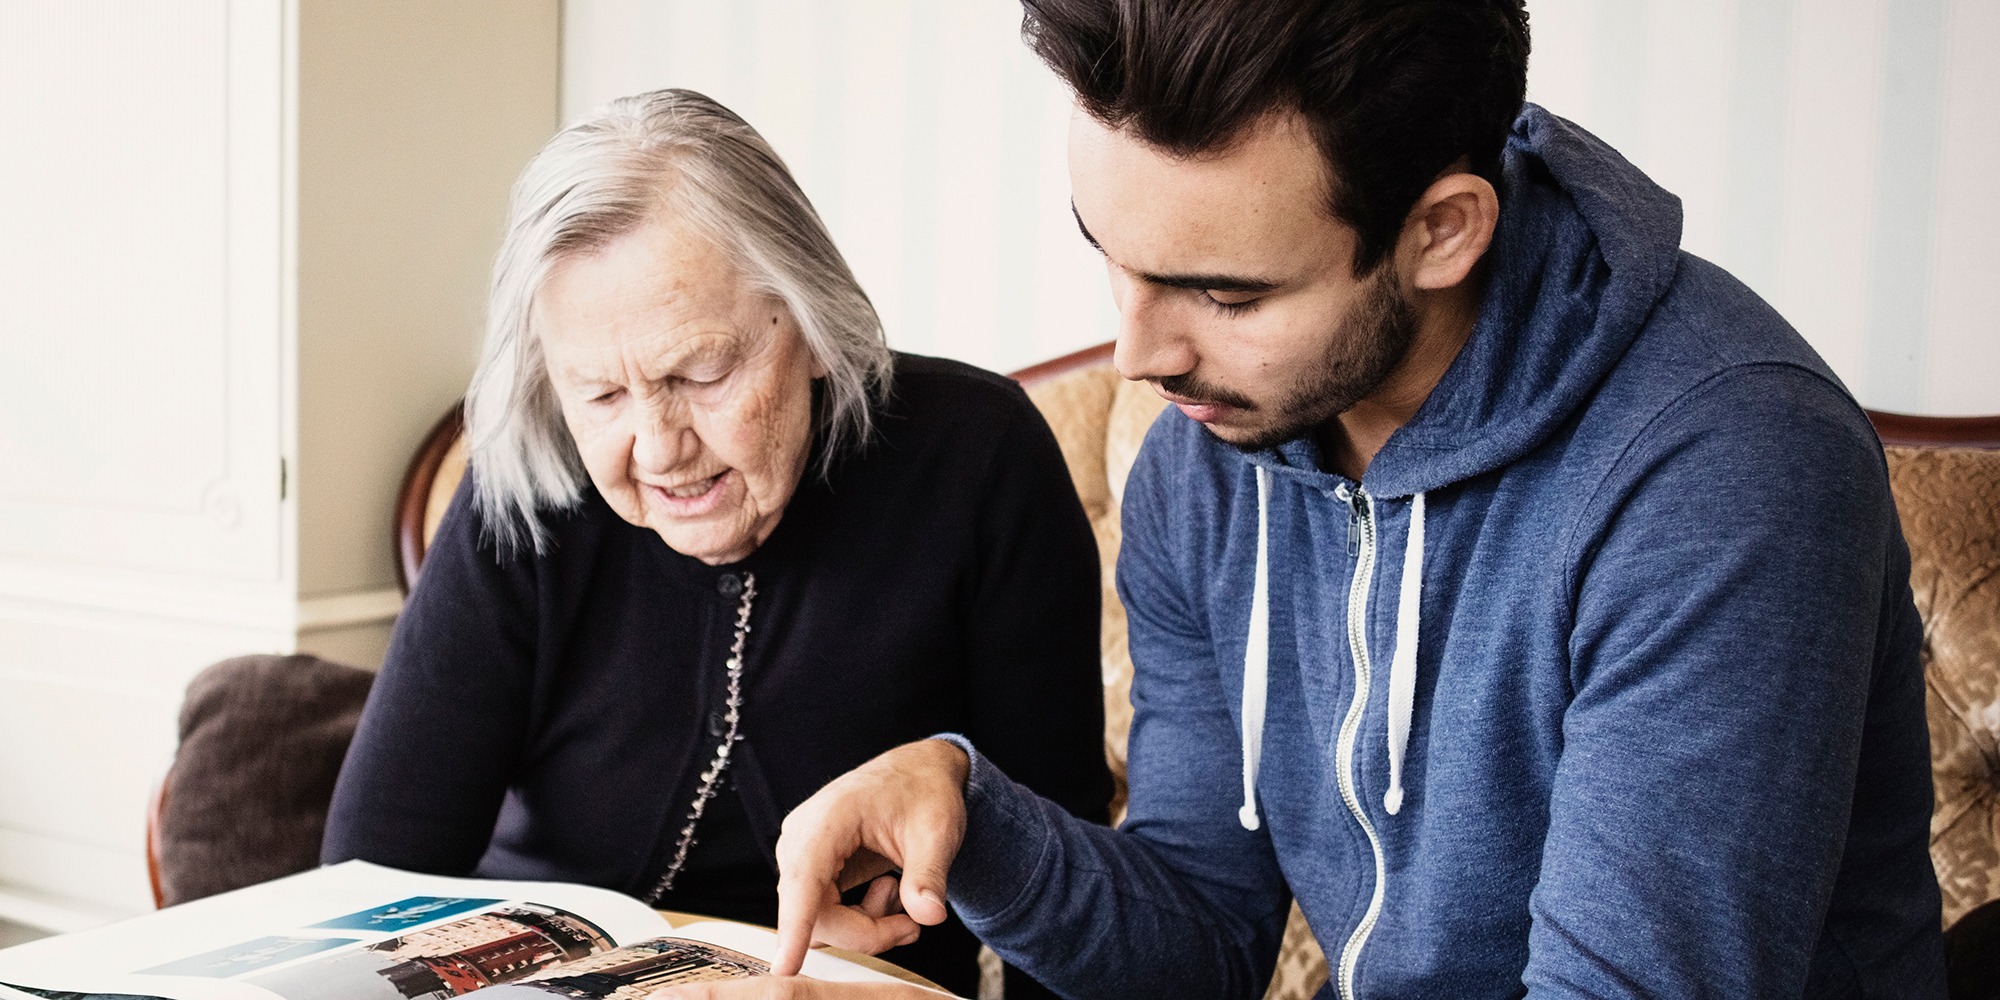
point(447, 719)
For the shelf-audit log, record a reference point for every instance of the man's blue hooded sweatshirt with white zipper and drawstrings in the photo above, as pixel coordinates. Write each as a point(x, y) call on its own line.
point(1601, 683)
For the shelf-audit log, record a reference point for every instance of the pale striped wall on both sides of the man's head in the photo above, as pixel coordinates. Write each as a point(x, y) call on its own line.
point(1831, 153)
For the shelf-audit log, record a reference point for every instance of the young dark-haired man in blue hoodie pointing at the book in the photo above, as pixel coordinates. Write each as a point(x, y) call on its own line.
point(1507, 585)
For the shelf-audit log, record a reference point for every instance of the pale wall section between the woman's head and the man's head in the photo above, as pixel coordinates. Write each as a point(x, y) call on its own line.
point(923, 131)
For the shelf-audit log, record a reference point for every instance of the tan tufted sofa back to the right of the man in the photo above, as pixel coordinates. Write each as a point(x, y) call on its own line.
point(1951, 513)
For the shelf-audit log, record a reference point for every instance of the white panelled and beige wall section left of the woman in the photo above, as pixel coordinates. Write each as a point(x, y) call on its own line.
point(245, 237)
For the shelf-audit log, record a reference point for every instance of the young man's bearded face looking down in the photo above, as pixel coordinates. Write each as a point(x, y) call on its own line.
point(1235, 287)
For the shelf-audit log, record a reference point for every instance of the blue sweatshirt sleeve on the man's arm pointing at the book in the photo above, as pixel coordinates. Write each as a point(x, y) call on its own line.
point(1181, 901)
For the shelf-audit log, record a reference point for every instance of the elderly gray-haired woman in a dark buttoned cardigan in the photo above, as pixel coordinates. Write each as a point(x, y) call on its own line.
point(717, 547)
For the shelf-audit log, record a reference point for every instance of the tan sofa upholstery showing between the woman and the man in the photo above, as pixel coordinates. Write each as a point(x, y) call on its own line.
point(1101, 421)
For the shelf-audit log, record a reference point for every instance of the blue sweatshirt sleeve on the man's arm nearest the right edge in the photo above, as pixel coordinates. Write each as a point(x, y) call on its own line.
point(1735, 583)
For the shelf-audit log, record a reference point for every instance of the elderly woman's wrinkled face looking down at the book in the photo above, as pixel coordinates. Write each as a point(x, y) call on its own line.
point(687, 393)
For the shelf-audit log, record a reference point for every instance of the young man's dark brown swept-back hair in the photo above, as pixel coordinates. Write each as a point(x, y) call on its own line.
point(1395, 91)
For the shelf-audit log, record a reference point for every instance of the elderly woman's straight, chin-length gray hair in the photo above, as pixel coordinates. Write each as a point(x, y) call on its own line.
point(669, 151)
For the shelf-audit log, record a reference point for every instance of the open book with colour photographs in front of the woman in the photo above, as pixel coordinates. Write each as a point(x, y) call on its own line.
point(367, 933)
